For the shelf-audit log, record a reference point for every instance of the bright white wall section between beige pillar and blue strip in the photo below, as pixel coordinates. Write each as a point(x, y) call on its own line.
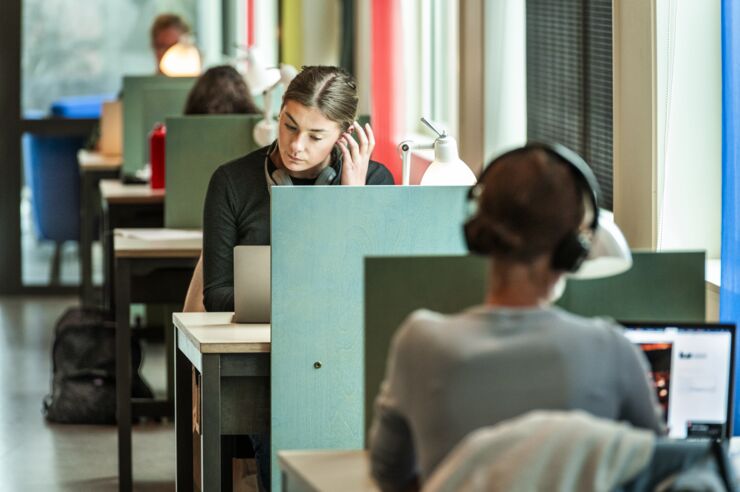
point(689, 100)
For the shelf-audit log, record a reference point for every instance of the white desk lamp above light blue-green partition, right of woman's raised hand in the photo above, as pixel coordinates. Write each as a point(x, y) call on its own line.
point(446, 169)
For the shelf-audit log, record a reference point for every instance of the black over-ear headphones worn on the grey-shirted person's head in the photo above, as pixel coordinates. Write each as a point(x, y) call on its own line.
point(575, 246)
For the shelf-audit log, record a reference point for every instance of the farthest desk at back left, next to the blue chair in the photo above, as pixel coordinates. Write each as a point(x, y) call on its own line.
point(94, 167)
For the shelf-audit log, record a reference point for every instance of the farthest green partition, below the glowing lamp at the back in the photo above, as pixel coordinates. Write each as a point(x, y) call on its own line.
point(147, 100)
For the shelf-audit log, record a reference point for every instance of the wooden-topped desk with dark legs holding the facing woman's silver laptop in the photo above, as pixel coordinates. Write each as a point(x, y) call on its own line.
point(234, 364)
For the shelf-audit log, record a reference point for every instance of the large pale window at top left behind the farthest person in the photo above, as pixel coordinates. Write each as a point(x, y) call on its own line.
point(76, 47)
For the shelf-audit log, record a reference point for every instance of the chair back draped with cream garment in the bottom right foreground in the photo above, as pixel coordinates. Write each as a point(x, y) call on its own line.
point(573, 451)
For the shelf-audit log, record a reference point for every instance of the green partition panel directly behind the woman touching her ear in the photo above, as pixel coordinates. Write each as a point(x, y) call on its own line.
point(196, 146)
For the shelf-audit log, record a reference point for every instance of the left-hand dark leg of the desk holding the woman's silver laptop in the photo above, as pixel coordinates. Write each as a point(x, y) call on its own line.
point(183, 421)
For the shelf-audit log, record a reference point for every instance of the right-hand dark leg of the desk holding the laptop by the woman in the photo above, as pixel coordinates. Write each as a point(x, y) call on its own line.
point(210, 455)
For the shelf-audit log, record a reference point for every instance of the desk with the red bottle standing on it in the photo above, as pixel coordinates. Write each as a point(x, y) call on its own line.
point(125, 206)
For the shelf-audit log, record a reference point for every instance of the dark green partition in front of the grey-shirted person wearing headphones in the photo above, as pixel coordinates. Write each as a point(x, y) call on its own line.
point(659, 287)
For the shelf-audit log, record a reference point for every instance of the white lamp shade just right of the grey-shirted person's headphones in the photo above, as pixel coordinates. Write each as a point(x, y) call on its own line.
point(610, 253)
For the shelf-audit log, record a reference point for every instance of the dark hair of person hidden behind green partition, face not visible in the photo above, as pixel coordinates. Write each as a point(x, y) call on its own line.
point(220, 90)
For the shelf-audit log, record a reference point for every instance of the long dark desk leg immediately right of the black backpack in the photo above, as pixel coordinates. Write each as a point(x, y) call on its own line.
point(123, 373)
